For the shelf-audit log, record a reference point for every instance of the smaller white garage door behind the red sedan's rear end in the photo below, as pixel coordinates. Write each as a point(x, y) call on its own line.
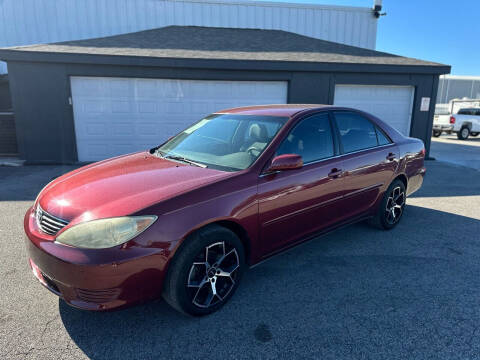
point(392, 104)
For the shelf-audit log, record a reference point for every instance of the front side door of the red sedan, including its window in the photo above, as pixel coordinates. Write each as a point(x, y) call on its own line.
point(294, 203)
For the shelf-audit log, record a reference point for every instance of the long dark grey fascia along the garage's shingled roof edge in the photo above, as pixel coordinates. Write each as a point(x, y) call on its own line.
point(224, 64)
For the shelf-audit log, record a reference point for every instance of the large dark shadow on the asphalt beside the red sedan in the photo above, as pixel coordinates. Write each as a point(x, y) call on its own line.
point(353, 292)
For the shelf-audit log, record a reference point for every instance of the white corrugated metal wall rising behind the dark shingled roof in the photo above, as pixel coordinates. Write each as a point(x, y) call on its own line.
point(25, 22)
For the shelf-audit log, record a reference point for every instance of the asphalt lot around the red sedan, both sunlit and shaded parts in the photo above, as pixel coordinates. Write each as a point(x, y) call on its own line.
point(411, 293)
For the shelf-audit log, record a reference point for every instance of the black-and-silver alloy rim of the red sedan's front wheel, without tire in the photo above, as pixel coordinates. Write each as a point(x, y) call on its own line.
point(213, 274)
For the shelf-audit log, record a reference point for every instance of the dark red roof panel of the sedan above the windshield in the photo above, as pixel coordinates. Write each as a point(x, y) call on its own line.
point(287, 110)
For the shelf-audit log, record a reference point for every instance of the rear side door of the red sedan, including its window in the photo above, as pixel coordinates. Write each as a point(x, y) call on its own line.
point(370, 160)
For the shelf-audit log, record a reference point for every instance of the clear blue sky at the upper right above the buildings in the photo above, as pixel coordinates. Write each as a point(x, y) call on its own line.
point(443, 31)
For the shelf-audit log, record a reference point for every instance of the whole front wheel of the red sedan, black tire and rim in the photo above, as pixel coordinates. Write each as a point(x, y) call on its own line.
point(195, 271)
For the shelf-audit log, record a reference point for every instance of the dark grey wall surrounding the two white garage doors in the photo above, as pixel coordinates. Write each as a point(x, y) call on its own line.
point(44, 117)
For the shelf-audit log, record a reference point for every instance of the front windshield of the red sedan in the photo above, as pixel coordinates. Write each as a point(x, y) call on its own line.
point(223, 141)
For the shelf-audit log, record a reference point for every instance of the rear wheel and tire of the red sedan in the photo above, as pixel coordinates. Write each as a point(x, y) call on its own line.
point(384, 219)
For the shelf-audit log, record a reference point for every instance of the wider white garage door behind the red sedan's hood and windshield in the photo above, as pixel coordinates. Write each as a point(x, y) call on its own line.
point(116, 116)
